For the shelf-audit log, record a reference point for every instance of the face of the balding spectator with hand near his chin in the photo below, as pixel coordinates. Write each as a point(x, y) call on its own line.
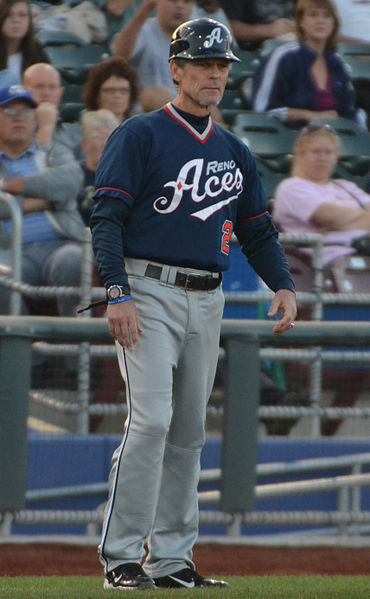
point(44, 85)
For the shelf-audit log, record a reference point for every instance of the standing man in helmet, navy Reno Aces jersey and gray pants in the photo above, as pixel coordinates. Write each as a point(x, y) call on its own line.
point(171, 188)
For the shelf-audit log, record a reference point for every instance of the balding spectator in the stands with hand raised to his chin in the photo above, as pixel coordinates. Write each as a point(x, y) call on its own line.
point(44, 83)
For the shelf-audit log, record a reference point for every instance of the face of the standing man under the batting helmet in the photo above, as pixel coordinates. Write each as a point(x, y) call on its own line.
point(201, 82)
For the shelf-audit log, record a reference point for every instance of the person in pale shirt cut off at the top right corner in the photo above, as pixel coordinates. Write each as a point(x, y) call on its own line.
point(354, 19)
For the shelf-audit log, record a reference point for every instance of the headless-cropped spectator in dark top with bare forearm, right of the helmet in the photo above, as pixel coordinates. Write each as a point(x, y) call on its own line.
point(253, 21)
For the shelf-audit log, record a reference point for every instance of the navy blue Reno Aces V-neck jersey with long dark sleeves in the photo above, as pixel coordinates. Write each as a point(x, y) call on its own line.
point(167, 193)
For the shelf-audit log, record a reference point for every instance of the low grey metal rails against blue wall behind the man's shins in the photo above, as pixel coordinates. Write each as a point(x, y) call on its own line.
point(348, 487)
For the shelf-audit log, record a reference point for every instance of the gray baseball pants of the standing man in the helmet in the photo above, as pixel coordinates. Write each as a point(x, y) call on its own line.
point(169, 376)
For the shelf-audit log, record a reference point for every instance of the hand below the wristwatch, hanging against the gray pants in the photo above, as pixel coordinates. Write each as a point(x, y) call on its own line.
point(124, 323)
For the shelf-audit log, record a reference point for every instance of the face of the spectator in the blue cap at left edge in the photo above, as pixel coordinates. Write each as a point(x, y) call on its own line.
point(17, 123)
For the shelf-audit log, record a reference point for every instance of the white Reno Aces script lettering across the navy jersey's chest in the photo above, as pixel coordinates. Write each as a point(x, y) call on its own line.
point(189, 179)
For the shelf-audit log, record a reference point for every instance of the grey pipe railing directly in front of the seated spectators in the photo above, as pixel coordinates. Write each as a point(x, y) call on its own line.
point(317, 298)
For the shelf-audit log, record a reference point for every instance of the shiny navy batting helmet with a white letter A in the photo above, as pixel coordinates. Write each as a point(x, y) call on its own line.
point(200, 39)
